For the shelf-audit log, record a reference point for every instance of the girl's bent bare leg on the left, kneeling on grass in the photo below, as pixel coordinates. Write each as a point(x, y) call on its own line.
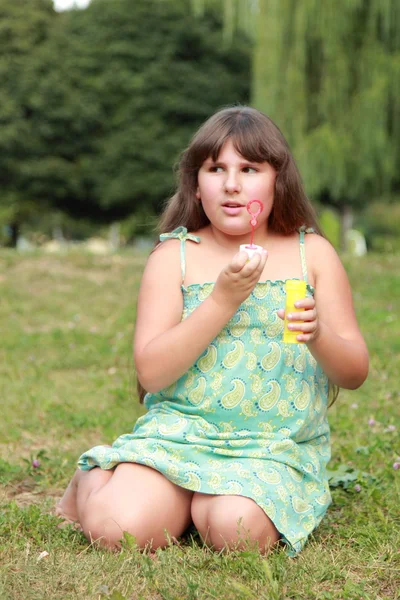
point(132, 498)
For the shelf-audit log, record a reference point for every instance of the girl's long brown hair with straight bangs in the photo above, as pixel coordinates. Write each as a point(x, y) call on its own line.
point(256, 137)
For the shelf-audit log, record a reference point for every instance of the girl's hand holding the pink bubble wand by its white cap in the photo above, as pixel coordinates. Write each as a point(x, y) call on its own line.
point(238, 279)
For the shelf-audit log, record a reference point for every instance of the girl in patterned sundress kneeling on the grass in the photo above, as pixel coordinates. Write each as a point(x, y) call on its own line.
point(236, 437)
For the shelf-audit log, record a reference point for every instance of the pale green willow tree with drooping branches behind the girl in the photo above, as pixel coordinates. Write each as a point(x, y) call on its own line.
point(329, 75)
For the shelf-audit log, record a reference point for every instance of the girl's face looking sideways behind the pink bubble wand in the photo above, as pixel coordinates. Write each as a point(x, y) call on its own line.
point(227, 185)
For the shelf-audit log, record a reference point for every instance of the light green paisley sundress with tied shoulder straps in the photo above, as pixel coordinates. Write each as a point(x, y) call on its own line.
point(249, 418)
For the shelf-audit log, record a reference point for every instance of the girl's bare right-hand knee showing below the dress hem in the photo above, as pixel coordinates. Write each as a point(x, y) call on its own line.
point(232, 521)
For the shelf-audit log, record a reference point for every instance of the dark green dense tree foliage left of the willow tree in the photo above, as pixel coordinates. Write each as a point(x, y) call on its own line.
point(98, 104)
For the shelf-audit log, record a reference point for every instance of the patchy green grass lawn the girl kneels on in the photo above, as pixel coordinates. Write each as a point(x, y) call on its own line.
point(67, 383)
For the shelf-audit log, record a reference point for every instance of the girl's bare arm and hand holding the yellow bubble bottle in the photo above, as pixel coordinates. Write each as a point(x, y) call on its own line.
point(330, 327)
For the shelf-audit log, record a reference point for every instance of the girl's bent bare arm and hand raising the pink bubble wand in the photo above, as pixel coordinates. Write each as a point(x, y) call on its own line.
point(164, 346)
